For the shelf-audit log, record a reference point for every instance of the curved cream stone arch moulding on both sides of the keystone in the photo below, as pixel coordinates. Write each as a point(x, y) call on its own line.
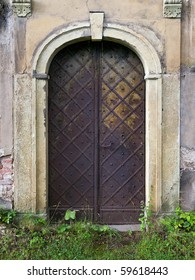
point(75, 33)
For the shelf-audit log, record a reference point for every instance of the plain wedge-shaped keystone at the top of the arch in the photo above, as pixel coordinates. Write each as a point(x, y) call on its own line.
point(96, 22)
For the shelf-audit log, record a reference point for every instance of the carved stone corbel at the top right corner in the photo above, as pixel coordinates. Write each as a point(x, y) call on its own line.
point(172, 8)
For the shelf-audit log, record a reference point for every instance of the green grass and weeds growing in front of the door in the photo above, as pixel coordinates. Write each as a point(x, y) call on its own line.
point(86, 241)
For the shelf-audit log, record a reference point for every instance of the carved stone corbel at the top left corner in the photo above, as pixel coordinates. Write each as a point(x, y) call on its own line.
point(22, 8)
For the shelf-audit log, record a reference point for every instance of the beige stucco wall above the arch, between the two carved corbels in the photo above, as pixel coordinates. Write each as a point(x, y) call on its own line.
point(137, 14)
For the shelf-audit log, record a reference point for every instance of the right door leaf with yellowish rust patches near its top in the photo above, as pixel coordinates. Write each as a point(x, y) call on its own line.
point(122, 135)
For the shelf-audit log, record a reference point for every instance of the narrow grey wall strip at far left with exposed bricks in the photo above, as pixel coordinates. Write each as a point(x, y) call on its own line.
point(6, 94)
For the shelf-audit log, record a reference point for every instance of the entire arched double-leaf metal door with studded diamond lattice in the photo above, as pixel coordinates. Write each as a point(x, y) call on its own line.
point(97, 132)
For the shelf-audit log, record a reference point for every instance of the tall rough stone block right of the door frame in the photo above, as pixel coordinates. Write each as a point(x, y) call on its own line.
point(171, 142)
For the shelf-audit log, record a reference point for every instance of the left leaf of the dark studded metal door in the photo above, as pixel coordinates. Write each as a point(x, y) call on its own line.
point(71, 130)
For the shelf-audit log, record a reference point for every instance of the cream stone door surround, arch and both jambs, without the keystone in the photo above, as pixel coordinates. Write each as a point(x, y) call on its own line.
point(152, 67)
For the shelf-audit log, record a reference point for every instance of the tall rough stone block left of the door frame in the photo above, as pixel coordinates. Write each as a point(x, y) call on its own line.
point(22, 143)
